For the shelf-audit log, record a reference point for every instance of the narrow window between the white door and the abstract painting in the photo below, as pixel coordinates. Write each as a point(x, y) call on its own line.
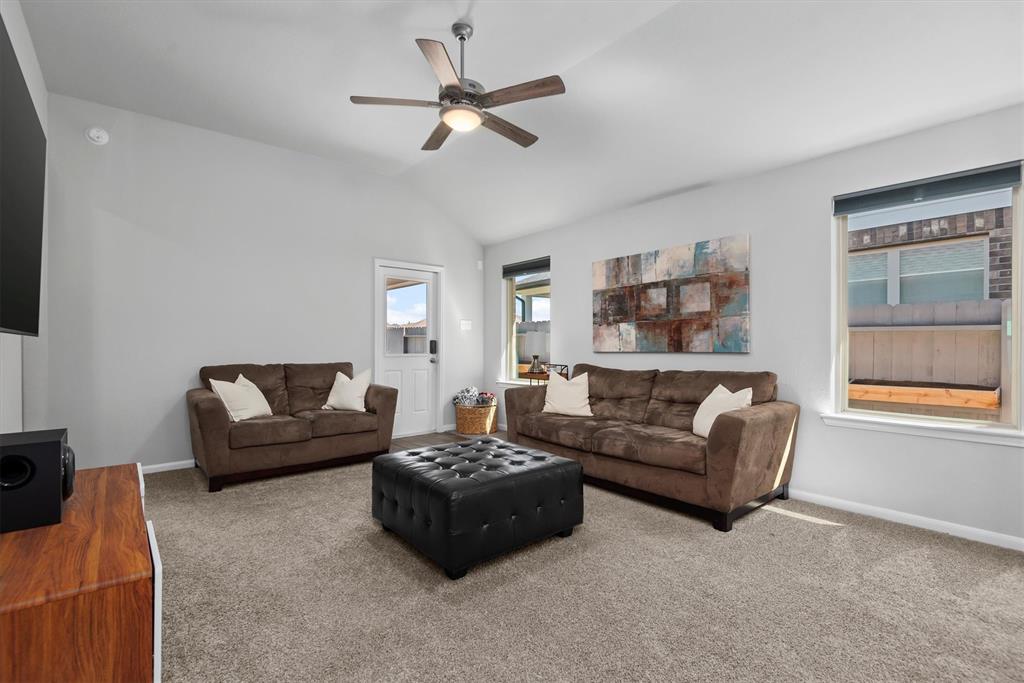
point(528, 324)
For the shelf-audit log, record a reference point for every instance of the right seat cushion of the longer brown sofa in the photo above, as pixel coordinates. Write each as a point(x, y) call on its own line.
point(654, 445)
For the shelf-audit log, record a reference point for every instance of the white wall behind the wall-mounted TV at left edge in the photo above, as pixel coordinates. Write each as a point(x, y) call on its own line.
point(11, 346)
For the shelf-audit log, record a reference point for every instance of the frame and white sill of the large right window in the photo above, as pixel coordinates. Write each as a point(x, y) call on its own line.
point(842, 415)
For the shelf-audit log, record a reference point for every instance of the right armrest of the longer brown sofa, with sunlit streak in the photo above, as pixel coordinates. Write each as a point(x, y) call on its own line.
point(750, 453)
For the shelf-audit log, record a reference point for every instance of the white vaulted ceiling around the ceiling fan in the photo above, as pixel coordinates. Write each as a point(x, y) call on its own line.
point(660, 96)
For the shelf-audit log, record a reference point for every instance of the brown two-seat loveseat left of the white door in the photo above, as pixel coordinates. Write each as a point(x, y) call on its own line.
point(298, 437)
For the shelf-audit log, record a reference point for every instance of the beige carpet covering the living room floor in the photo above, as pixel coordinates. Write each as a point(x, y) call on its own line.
point(290, 580)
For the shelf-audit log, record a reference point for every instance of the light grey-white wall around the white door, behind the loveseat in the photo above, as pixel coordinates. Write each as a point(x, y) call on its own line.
point(175, 247)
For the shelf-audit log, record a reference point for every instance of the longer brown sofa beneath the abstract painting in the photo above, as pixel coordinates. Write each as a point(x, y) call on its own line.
point(641, 439)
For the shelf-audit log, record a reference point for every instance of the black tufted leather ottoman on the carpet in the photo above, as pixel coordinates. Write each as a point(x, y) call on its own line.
point(463, 503)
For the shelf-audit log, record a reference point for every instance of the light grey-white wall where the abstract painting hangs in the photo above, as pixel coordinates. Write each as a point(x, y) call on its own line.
point(788, 215)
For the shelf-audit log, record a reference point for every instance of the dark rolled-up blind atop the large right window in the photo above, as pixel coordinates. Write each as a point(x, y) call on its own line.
point(943, 187)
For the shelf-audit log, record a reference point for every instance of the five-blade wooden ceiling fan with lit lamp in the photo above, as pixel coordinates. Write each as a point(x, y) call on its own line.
point(463, 102)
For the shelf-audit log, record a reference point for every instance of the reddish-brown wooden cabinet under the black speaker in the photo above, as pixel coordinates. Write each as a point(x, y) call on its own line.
point(78, 600)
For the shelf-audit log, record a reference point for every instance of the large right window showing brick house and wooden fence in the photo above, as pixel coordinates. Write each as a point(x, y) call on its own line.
point(931, 269)
